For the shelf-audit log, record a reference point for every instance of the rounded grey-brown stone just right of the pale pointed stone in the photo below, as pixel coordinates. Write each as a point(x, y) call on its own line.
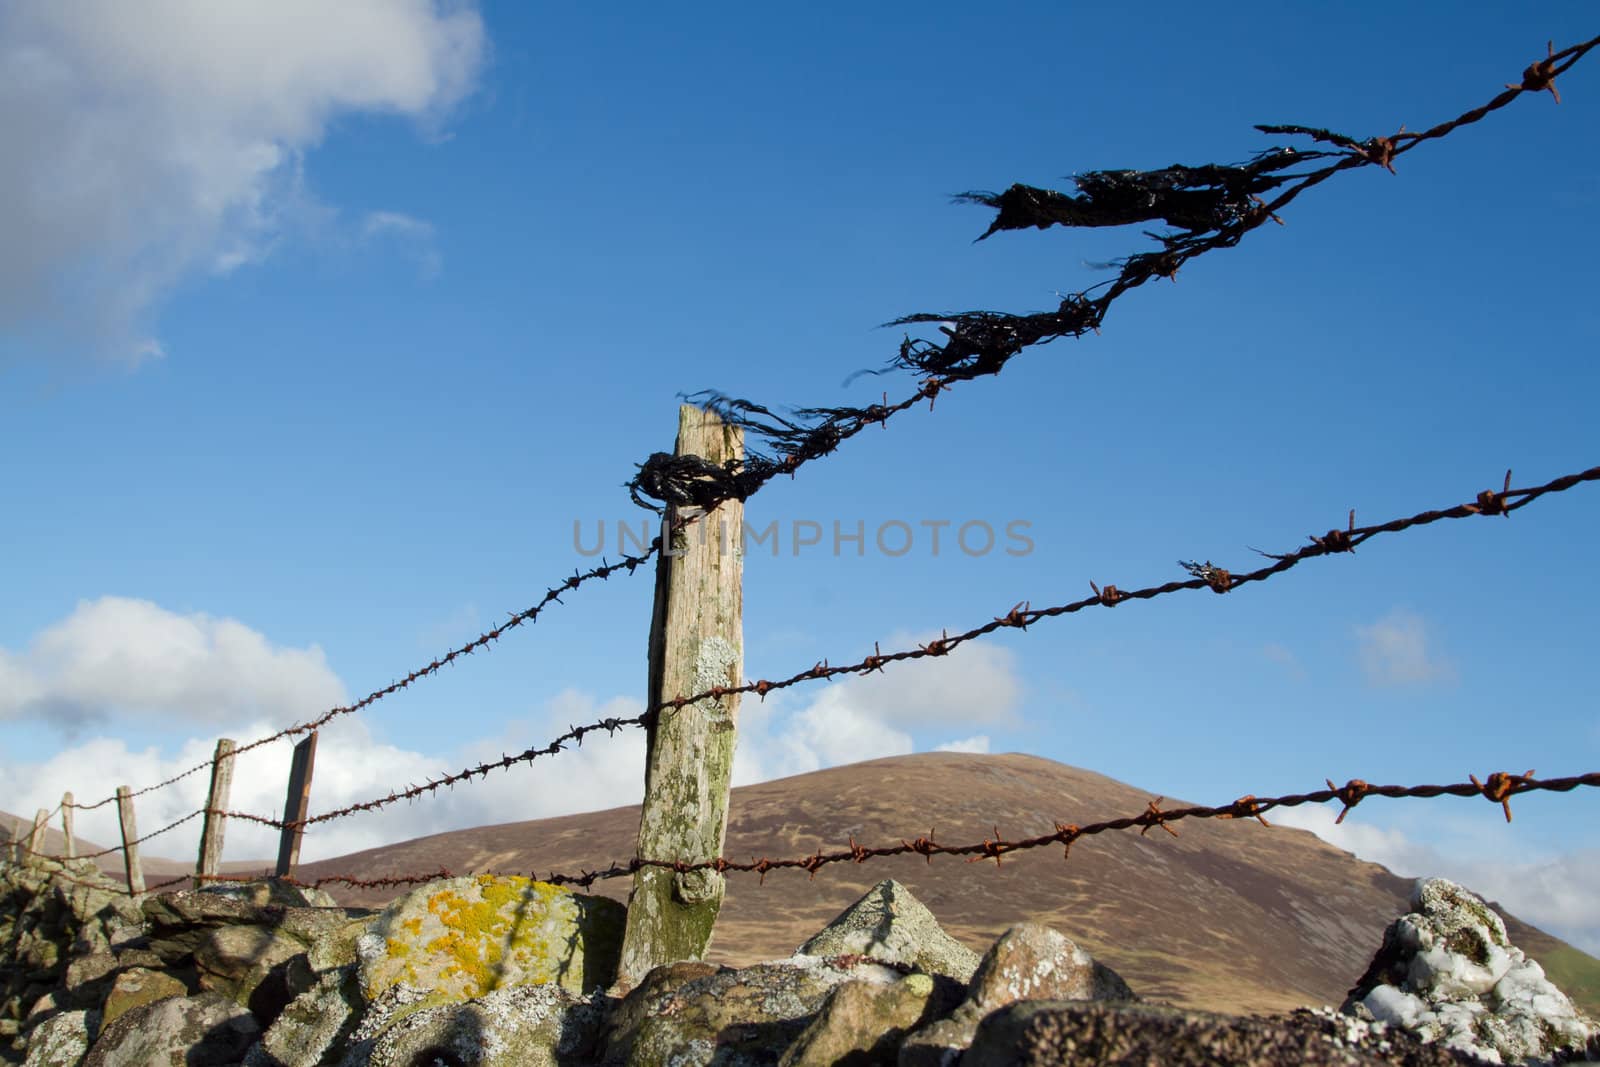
point(1030, 962)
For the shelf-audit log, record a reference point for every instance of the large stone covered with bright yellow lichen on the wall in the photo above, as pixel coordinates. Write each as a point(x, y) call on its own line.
point(463, 938)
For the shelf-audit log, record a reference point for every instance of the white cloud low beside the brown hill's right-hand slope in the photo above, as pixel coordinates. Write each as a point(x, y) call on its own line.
point(1554, 893)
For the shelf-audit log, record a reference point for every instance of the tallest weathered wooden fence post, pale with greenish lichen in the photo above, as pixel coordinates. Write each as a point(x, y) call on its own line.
point(697, 642)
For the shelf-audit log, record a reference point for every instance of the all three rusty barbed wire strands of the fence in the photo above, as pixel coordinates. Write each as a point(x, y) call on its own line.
point(1210, 207)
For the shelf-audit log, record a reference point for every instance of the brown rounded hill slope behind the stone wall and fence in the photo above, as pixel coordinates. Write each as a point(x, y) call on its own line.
point(1230, 916)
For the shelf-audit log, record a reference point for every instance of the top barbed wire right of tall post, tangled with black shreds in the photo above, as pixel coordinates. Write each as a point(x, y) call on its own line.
point(1215, 206)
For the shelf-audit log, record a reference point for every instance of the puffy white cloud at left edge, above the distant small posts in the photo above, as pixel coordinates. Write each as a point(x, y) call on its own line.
point(132, 658)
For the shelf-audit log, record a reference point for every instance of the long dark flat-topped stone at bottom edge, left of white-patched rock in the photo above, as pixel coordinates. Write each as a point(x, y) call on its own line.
point(1100, 1034)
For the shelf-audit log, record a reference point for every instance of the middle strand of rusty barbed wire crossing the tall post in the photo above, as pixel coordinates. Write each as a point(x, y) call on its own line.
point(1020, 617)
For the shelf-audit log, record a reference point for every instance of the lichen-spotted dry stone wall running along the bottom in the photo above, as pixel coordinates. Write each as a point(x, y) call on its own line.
point(502, 972)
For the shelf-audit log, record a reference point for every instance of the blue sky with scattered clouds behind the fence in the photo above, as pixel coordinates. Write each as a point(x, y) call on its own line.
point(318, 337)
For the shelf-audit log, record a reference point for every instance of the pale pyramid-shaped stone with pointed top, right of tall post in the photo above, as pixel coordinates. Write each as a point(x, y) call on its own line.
point(894, 927)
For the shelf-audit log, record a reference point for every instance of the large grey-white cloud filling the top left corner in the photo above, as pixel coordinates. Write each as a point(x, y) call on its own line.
point(145, 143)
